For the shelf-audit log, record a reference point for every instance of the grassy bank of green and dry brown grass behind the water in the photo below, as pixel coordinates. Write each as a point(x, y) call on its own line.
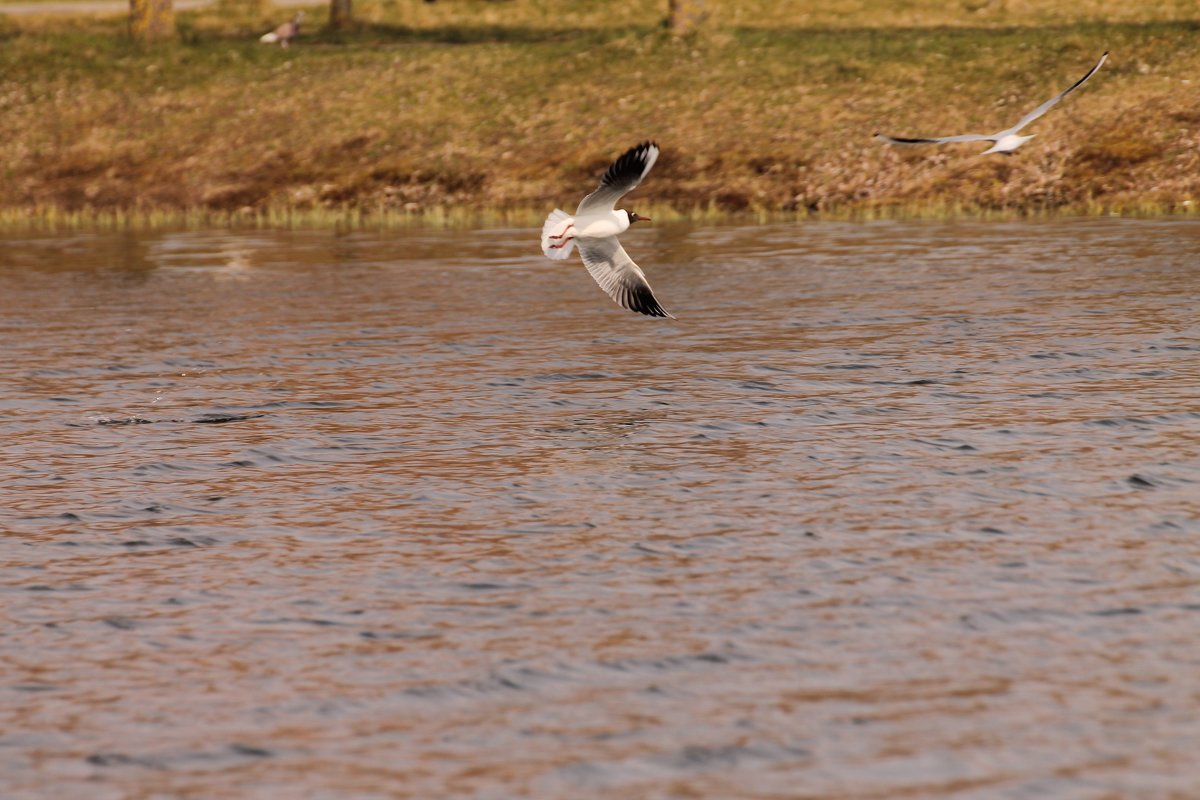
point(503, 110)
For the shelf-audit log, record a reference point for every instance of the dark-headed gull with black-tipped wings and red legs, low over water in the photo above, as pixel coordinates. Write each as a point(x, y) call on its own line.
point(595, 230)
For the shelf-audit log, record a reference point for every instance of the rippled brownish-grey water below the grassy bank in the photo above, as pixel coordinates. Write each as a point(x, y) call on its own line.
point(891, 512)
